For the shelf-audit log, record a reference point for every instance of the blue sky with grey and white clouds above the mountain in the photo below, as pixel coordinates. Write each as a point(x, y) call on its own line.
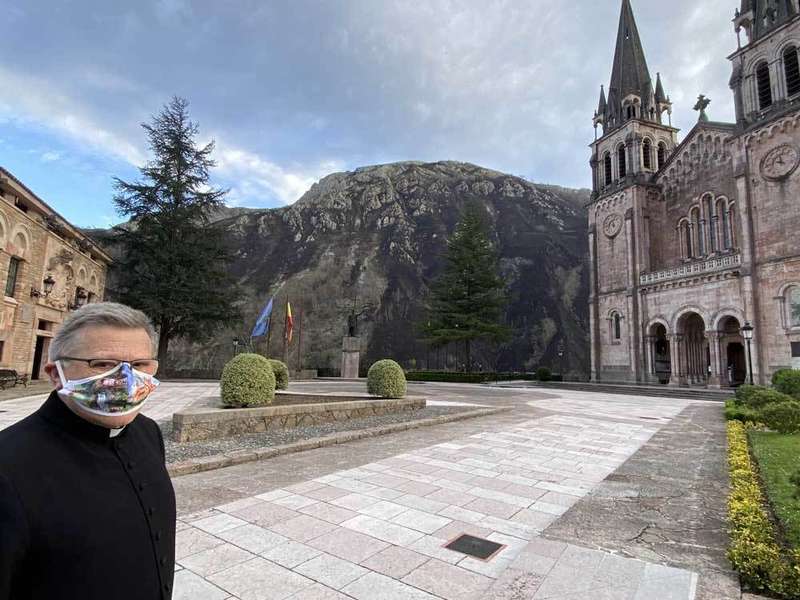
point(291, 90)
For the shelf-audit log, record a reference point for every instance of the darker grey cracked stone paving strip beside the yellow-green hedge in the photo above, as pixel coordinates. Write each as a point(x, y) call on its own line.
point(665, 504)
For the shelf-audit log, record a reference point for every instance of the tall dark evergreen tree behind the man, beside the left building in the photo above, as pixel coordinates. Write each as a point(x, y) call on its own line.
point(174, 263)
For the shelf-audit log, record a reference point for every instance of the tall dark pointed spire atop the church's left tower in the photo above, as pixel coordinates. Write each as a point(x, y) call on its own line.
point(630, 74)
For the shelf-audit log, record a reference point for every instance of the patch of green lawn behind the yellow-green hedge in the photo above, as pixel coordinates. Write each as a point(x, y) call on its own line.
point(778, 459)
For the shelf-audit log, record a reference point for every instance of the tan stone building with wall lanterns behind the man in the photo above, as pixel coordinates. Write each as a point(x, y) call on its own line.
point(48, 267)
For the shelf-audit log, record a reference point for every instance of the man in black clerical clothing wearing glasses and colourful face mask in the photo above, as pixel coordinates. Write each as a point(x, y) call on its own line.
point(87, 509)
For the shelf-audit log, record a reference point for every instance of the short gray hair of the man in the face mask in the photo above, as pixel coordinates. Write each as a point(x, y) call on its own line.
point(98, 314)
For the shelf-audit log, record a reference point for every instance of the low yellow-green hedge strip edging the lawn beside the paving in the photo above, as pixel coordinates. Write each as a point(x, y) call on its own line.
point(754, 551)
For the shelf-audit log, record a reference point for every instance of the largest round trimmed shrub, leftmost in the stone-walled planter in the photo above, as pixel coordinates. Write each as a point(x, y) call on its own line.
point(247, 380)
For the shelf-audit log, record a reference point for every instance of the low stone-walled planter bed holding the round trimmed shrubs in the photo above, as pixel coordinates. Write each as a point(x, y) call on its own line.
point(289, 410)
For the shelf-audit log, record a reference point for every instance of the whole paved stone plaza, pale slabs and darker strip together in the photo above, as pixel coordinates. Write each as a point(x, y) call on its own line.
point(579, 490)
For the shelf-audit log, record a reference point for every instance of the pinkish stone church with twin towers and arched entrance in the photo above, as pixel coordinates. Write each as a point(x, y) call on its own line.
point(690, 241)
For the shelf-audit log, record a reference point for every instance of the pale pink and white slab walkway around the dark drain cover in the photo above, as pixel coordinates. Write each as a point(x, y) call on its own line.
point(392, 546)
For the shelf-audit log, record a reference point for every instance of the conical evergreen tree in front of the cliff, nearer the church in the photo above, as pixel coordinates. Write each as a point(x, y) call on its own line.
point(468, 299)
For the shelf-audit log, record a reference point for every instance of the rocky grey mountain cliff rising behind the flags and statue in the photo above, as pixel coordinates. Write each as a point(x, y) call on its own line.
point(373, 238)
